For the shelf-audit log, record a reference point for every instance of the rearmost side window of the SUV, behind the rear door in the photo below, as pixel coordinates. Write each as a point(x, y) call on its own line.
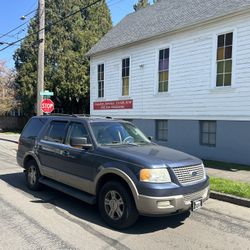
point(33, 127)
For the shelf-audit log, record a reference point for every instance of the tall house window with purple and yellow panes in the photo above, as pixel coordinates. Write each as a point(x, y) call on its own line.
point(163, 70)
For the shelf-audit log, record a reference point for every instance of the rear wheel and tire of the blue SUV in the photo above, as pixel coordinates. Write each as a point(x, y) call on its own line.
point(32, 176)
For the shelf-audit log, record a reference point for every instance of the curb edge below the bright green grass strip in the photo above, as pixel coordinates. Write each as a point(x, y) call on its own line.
point(230, 198)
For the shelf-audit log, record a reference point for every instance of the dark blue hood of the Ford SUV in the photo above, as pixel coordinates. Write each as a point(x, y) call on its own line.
point(150, 155)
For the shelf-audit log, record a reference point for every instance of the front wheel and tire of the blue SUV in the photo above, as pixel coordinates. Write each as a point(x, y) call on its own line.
point(117, 206)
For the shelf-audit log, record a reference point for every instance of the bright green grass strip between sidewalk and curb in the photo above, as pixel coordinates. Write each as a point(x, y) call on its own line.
point(225, 186)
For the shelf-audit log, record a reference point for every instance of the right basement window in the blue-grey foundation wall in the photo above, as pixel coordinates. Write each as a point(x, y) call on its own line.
point(208, 133)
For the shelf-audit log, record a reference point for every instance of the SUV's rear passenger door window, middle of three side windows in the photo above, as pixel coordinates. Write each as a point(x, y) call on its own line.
point(56, 131)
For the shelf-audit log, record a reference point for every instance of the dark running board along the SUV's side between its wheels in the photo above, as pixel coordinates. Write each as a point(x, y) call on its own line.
point(69, 190)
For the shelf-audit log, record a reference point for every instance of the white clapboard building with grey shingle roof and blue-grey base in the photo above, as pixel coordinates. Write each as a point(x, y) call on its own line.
point(180, 70)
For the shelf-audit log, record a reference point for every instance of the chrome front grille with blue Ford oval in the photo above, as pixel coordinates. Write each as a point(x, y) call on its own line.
point(186, 175)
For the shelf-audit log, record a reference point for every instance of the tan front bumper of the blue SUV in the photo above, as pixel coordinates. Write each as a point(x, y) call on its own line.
point(157, 206)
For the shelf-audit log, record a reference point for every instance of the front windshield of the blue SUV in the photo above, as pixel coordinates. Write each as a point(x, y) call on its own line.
point(111, 133)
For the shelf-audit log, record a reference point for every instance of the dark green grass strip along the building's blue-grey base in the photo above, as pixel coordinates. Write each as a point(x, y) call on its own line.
point(225, 165)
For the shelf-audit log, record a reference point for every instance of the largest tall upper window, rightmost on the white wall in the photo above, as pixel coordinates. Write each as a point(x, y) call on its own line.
point(224, 60)
